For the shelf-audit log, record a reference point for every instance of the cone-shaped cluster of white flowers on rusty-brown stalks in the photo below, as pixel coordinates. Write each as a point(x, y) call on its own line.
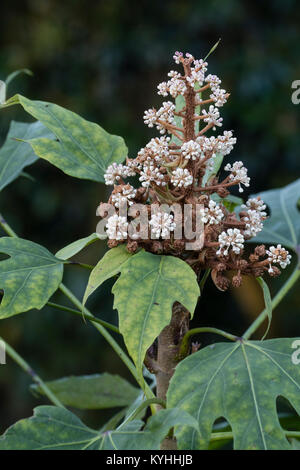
point(176, 167)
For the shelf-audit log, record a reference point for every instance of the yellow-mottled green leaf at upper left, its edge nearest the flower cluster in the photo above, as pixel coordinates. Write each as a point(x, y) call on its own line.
point(82, 149)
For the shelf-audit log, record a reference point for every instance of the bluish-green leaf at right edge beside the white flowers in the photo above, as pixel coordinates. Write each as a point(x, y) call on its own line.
point(283, 225)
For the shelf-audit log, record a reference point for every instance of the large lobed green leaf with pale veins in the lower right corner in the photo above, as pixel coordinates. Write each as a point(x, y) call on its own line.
point(239, 382)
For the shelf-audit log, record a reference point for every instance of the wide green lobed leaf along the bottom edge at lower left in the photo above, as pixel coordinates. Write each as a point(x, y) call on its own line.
point(53, 428)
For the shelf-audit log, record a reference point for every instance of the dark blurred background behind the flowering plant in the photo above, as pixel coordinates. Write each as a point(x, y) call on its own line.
point(103, 60)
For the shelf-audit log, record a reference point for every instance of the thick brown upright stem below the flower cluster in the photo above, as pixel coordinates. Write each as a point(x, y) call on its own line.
point(168, 347)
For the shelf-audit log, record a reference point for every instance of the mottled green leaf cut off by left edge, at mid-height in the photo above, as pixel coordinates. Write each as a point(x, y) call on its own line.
point(29, 277)
